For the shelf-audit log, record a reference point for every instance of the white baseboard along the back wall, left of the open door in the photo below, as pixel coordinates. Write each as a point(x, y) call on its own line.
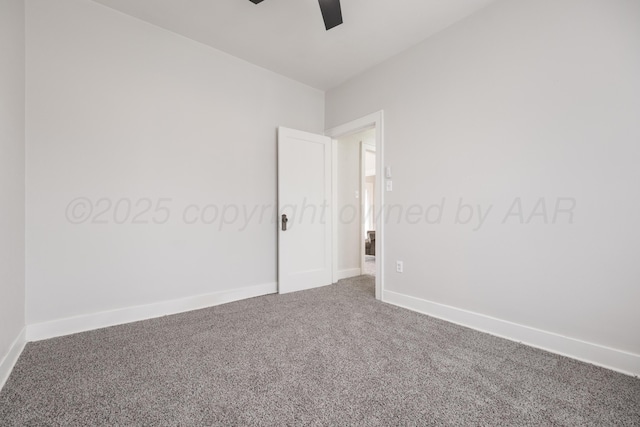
point(89, 322)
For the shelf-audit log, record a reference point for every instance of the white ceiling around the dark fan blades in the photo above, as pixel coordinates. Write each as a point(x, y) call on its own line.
point(288, 36)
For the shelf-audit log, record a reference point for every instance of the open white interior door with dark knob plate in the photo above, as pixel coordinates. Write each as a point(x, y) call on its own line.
point(304, 196)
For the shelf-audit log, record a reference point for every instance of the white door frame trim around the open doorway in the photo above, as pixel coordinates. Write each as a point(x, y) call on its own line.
point(375, 120)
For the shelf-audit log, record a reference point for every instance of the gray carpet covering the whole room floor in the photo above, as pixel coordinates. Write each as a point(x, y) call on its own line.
point(329, 356)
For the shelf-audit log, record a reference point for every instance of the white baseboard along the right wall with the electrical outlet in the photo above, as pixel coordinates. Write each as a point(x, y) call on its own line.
point(617, 360)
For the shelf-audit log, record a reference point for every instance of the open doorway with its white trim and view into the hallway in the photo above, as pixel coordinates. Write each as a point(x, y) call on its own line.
point(358, 199)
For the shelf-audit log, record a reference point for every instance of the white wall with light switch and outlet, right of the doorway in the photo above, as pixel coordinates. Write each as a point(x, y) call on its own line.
point(526, 99)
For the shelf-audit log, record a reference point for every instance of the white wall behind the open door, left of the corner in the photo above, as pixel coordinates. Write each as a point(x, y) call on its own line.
point(122, 110)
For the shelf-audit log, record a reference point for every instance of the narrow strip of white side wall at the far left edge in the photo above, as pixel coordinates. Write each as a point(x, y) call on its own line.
point(12, 287)
